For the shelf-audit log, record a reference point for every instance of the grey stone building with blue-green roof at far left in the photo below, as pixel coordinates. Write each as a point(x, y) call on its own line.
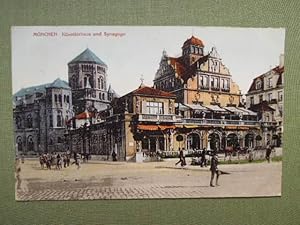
point(40, 113)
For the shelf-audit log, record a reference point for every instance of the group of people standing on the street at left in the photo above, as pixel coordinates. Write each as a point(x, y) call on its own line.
point(48, 160)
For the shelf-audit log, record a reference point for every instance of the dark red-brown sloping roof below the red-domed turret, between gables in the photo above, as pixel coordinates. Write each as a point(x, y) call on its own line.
point(183, 70)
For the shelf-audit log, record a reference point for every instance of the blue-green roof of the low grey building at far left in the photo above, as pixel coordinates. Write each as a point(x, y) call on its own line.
point(58, 83)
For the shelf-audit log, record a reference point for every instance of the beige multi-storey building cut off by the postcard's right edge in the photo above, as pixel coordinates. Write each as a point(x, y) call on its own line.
point(265, 96)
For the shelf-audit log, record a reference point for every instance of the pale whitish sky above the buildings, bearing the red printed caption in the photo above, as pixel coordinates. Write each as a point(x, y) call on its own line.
point(40, 54)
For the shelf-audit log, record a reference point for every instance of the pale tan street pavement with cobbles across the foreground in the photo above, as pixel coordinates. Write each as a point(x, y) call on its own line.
point(127, 180)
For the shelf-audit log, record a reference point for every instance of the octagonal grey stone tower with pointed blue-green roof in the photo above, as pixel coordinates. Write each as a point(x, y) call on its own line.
point(87, 79)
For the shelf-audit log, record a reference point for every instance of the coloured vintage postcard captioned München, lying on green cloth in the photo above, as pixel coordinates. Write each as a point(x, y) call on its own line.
point(149, 112)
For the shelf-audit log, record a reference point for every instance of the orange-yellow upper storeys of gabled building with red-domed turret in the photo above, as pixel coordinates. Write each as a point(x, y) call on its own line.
point(196, 77)
